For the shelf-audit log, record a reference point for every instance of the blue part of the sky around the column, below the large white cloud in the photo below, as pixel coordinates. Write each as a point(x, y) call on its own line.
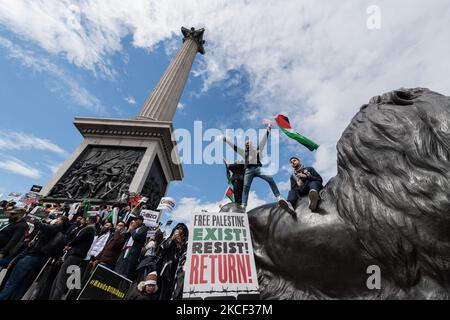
point(37, 105)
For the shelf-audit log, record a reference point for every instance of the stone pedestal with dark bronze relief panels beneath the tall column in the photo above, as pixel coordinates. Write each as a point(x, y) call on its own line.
point(117, 156)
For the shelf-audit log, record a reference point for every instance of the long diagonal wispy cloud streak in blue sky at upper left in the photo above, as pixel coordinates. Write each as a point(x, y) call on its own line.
point(62, 83)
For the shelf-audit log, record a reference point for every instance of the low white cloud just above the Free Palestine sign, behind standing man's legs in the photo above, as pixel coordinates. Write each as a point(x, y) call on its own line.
point(186, 206)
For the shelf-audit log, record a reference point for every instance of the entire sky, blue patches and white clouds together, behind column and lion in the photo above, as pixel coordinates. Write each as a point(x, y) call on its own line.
point(316, 63)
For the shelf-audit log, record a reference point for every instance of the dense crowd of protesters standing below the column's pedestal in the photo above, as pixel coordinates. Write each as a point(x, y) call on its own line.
point(38, 253)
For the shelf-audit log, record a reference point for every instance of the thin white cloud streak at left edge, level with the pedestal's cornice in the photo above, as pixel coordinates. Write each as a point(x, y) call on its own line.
point(12, 140)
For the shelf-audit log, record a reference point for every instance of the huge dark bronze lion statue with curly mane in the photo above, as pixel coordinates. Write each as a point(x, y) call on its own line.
point(388, 206)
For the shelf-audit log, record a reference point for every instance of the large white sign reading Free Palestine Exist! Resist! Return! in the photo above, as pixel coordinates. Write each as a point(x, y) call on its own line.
point(220, 262)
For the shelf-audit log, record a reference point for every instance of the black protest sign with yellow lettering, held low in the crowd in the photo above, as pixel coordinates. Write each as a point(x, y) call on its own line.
point(105, 284)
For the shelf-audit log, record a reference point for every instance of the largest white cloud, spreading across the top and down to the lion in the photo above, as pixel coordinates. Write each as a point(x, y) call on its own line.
point(314, 61)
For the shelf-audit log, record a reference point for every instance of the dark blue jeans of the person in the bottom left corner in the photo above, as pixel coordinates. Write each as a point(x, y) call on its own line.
point(21, 277)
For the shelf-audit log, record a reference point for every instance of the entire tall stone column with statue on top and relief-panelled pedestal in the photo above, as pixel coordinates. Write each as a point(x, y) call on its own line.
point(130, 155)
